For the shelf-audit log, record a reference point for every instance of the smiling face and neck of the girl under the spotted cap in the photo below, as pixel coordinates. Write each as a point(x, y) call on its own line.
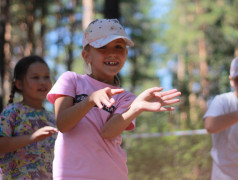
point(106, 61)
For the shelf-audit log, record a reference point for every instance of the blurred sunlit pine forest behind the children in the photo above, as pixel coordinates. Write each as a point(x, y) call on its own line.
point(189, 47)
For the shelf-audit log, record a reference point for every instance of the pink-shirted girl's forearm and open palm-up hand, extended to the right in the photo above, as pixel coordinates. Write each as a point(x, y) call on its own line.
point(151, 100)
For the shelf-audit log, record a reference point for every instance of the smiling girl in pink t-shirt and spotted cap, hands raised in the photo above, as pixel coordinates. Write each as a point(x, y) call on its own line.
point(92, 110)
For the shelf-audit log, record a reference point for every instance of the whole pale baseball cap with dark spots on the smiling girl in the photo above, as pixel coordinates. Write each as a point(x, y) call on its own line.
point(101, 32)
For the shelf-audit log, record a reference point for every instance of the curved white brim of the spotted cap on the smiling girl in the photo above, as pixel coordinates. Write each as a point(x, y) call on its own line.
point(104, 41)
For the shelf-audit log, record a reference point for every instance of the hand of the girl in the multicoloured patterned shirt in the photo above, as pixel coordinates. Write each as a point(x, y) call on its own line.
point(43, 133)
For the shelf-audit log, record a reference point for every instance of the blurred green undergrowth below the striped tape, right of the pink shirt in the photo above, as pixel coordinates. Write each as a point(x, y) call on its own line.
point(166, 158)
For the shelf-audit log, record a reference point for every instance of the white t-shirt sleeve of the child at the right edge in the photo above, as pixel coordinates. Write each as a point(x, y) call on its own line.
point(216, 107)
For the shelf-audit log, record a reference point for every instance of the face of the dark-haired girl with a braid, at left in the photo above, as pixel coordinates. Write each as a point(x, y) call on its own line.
point(35, 85)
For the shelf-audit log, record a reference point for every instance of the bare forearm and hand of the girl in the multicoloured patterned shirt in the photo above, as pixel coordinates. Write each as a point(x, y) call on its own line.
point(9, 144)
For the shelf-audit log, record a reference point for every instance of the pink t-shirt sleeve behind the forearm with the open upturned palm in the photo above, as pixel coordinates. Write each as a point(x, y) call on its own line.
point(124, 105)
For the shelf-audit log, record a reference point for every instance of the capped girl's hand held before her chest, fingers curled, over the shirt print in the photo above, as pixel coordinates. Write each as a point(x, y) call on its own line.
point(104, 96)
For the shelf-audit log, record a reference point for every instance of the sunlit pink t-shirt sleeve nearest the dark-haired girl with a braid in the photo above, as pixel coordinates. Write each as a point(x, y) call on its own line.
point(65, 85)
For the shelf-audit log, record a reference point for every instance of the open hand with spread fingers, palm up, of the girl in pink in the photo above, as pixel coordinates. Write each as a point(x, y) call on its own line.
point(154, 100)
